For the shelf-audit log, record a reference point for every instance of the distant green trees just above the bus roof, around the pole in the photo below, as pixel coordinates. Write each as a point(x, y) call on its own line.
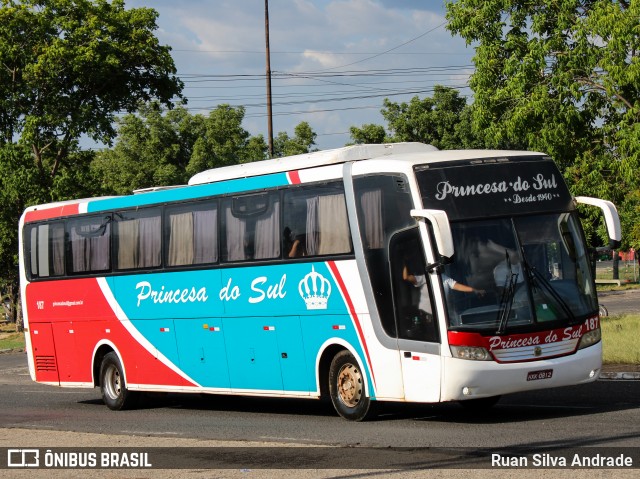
point(157, 148)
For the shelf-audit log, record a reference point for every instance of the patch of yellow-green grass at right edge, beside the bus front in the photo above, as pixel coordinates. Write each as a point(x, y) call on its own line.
point(620, 339)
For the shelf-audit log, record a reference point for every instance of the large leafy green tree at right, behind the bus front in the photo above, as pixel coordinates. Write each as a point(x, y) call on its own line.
point(560, 77)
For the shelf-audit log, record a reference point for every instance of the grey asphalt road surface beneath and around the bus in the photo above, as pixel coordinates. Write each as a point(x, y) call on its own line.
point(604, 413)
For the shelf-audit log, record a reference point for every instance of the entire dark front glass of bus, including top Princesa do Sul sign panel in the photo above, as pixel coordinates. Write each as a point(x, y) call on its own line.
point(520, 263)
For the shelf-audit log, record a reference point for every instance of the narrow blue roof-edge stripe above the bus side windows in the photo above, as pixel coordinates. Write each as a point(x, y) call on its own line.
point(189, 192)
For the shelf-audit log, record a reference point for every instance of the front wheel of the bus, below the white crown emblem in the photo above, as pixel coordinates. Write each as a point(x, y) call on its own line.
point(347, 388)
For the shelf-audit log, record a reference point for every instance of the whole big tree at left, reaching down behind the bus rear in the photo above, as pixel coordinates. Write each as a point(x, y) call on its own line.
point(67, 67)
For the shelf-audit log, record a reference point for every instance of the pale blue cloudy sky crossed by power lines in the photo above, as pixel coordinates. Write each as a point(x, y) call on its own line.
point(332, 61)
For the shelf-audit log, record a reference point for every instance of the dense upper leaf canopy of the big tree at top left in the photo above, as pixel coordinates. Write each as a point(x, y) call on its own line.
point(70, 65)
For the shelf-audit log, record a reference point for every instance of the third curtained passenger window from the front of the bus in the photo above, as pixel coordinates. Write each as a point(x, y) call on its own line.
point(192, 234)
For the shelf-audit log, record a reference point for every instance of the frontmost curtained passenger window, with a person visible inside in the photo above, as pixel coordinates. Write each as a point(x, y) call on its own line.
point(316, 222)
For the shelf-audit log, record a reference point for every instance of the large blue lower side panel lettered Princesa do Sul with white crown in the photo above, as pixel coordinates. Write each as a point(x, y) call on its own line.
point(245, 328)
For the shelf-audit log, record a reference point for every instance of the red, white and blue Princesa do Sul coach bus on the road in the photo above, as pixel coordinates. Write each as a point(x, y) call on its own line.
point(360, 275)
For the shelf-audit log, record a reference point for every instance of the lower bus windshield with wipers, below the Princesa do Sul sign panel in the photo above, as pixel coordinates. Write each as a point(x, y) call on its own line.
point(527, 273)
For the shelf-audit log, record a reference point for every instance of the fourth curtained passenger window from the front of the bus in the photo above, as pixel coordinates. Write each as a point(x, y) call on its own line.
point(138, 236)
